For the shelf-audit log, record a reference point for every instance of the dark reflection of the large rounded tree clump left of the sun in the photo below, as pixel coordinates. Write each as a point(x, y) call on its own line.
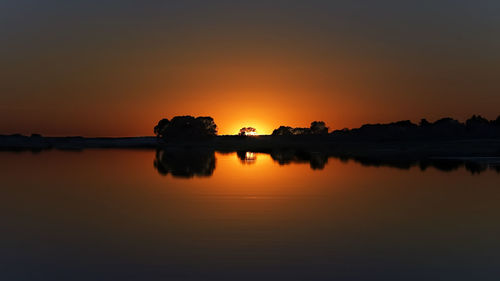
point(185, 163)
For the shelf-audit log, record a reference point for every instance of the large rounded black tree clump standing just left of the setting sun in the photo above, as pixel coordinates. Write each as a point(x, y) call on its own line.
point(186, 127)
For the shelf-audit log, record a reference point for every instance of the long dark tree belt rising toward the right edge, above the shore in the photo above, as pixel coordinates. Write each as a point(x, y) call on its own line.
point(474, 127)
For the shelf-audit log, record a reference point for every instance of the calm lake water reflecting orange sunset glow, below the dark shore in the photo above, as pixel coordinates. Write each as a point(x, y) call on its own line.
point(146, 215)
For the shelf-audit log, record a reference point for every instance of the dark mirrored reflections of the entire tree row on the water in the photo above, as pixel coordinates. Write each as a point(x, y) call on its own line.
point(190, 162)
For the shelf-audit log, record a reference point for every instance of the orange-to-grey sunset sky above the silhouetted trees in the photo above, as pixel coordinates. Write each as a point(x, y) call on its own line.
point(114, 68)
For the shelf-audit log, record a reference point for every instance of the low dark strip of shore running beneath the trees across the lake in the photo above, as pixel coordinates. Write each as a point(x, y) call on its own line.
point(327, 145)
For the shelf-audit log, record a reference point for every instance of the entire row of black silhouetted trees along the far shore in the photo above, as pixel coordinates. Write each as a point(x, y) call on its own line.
point(189, 127)
